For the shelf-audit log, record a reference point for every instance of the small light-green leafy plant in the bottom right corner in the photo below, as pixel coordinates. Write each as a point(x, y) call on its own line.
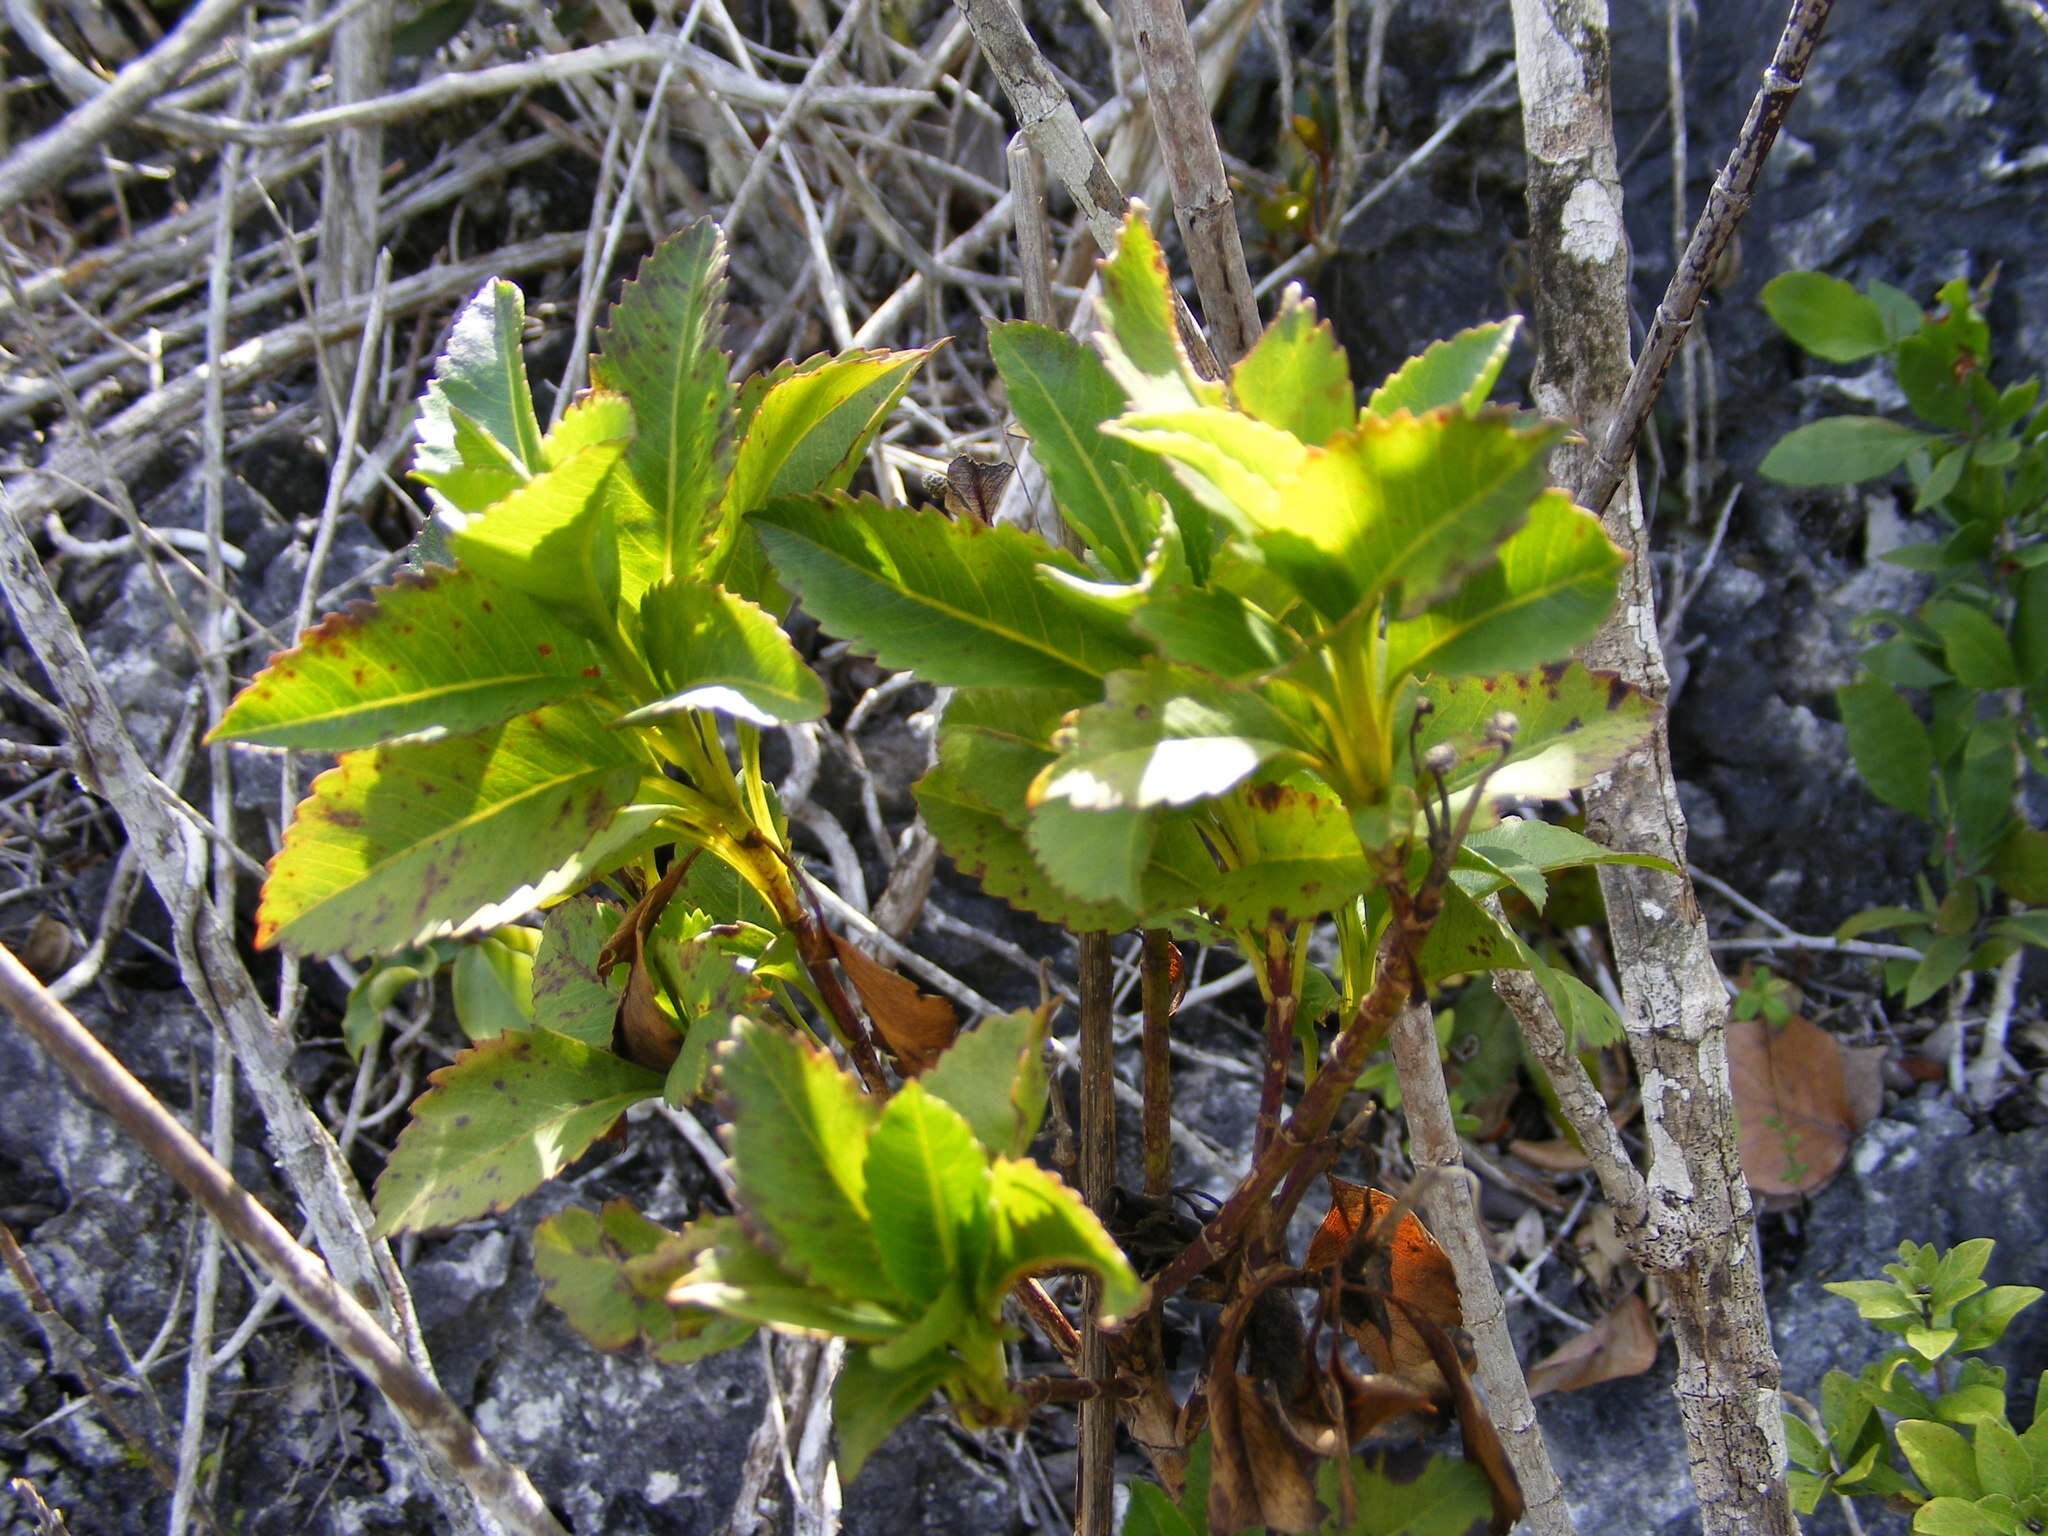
point(1943, 1449)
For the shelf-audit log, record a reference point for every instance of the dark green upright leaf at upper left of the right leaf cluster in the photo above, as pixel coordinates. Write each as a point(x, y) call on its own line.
point(1103, 486)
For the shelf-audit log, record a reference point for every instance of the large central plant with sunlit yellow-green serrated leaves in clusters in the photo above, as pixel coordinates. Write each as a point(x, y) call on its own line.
point(1304, 660)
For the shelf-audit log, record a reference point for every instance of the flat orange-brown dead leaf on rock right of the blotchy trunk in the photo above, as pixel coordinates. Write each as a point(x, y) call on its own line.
point(1791, 1103)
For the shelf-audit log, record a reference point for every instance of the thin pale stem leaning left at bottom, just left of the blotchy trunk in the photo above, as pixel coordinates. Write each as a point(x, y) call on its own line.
point(1455, 1222)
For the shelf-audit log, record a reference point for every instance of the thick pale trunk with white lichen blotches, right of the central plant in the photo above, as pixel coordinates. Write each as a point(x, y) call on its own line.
point(1701, 1218)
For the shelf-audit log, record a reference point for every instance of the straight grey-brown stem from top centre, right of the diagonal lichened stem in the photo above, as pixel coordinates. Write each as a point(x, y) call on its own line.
point(1203, 204)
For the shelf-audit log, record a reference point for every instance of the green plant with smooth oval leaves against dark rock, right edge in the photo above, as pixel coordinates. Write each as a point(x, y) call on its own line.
point(1977, 648)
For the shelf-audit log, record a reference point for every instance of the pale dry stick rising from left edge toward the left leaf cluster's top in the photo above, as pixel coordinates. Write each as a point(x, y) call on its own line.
point(138, 433)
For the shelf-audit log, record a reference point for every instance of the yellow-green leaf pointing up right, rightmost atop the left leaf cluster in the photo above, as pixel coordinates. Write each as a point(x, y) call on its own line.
point(810, 425)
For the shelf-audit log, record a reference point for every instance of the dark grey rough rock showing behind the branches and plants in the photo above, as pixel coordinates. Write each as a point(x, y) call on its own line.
point(1916, 155)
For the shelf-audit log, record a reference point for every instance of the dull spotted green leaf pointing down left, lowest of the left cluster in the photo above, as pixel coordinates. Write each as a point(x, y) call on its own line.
point(499, 1121)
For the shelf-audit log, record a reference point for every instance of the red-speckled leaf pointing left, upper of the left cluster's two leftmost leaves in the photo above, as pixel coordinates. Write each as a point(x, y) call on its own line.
point(435, 654)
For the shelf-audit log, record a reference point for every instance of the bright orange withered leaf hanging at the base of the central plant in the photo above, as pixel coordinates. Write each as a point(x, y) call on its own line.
point(1383, 1267)
